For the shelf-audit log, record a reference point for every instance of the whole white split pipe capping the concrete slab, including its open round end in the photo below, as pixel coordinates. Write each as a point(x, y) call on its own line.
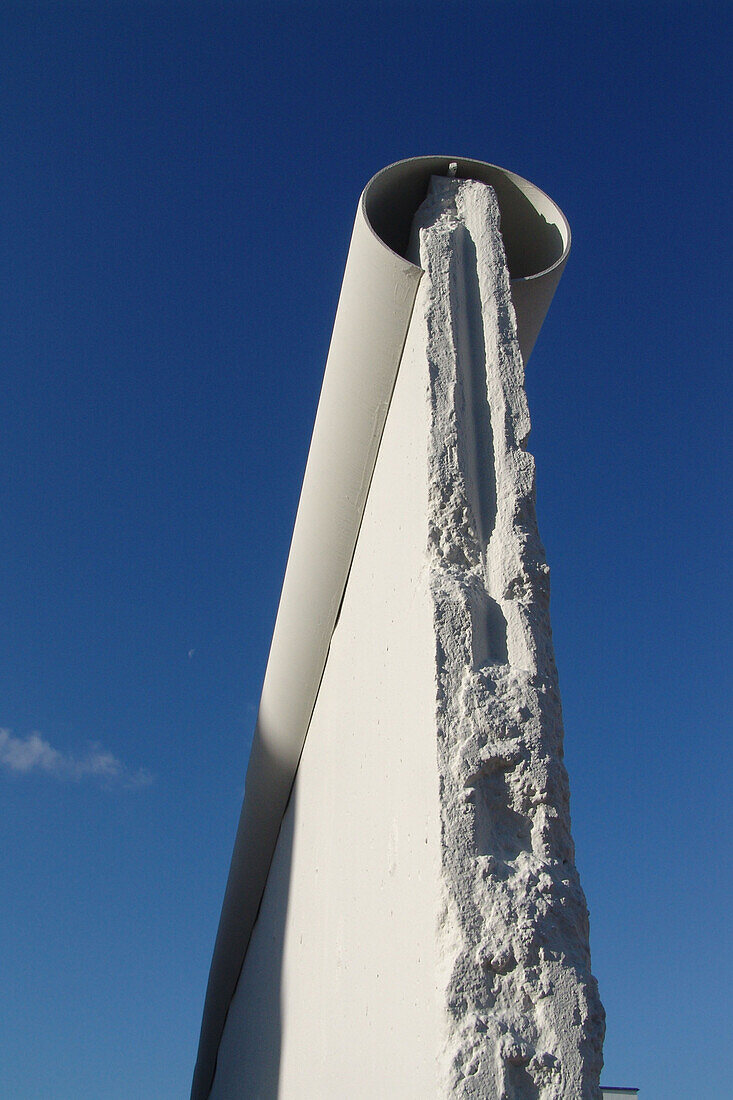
point(367, 347)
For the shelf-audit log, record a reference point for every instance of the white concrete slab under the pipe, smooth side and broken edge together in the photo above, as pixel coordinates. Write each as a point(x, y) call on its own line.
point(423, 932)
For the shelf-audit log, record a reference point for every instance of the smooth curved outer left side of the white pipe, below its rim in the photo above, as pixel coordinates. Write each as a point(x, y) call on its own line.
point(369, 333)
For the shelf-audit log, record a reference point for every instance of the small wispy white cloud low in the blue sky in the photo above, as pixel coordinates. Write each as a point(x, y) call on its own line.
point(34, 754)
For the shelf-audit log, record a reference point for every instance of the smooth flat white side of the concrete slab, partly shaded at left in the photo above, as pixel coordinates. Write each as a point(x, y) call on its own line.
point(337, 996)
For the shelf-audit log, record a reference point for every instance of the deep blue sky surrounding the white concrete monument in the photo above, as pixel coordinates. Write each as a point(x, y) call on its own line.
point(179, 184)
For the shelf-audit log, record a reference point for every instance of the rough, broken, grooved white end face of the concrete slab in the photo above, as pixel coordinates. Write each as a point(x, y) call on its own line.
point(523, 1020)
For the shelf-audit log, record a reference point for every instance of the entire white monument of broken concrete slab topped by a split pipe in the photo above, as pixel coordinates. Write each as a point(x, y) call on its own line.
point(403, 917)
